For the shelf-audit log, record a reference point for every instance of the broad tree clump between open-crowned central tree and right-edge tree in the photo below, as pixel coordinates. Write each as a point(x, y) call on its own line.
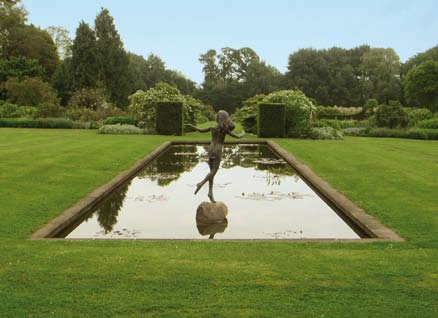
point(343, 77)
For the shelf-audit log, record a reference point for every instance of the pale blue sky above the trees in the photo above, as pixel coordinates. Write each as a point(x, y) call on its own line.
point(179, 31)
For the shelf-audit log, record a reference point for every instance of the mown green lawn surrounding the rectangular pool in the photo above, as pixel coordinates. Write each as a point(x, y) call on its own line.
point(43, 172)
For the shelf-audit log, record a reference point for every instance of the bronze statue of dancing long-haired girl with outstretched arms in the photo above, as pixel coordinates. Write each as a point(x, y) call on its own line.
point(224, 127)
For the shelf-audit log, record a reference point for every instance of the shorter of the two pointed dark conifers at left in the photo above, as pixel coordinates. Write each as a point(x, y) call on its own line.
point(84, 65)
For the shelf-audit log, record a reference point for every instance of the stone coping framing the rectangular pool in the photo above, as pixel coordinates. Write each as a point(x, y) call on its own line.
point(363, 223)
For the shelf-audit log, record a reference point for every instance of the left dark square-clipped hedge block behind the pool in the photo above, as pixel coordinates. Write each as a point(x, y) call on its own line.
point(170, 118)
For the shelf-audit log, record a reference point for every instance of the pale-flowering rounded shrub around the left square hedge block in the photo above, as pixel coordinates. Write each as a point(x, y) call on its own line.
point(143, 104)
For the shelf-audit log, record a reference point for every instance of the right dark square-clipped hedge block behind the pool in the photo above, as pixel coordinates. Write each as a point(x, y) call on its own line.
point(271, 120)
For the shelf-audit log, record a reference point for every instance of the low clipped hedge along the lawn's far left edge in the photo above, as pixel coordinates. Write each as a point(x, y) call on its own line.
point(40, 123)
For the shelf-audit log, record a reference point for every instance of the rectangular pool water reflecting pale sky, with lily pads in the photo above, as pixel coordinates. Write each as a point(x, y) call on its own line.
point(265, 197)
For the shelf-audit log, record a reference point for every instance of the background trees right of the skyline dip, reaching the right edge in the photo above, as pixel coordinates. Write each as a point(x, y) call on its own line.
point(335, 76)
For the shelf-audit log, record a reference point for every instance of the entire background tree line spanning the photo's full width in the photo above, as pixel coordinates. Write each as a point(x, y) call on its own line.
point(48, 62)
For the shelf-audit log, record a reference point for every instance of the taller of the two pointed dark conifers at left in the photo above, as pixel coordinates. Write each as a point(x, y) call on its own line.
point(113, 60)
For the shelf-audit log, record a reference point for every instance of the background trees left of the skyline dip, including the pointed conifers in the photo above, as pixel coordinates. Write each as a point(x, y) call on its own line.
point(94, 60)
